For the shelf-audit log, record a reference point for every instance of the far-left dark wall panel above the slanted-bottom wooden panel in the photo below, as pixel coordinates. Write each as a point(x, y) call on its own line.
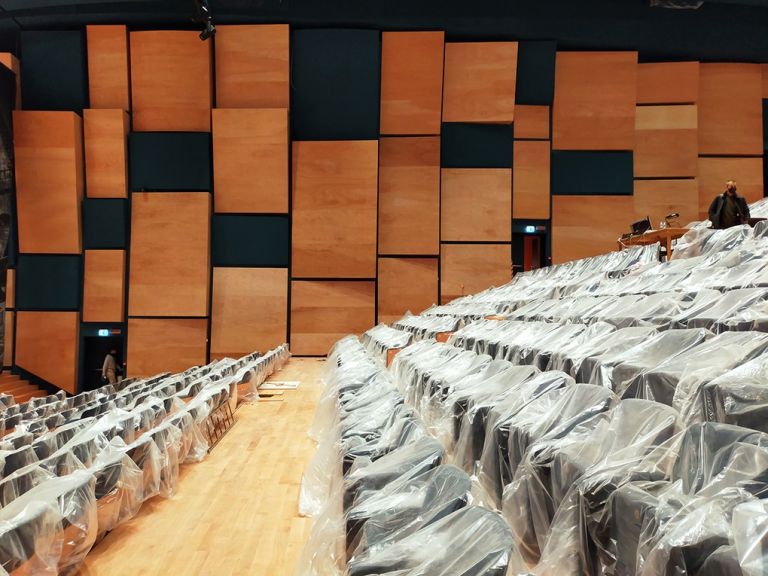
point(48, 282)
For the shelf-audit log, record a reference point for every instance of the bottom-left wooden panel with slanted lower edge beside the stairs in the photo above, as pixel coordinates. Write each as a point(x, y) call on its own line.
point(47, 346)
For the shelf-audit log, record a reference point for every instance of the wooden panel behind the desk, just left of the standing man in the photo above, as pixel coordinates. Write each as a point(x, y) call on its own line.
point(657, 198)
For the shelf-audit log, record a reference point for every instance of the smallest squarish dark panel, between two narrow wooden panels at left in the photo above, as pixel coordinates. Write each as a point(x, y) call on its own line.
point(105, 223)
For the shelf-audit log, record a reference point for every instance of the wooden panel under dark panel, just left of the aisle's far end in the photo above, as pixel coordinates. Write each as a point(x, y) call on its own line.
point(250, 310)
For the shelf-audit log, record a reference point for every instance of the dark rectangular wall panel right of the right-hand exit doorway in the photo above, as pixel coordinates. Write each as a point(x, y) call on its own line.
point(579, 172)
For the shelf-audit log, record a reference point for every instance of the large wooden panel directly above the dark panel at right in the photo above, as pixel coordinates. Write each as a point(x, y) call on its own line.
point(594, 107)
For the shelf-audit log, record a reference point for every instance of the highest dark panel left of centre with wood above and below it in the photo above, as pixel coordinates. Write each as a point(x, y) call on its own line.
point(168, 161)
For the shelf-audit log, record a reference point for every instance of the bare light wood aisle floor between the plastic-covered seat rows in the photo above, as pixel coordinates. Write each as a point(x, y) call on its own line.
point(235, 512)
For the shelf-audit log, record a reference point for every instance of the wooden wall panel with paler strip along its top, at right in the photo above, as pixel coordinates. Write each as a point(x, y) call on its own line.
point(666, 141)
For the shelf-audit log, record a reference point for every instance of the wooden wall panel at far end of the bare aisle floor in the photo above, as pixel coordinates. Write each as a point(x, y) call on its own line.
point(322, 312)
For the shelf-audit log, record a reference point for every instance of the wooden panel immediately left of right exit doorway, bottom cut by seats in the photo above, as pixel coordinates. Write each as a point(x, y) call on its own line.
point(470, 268)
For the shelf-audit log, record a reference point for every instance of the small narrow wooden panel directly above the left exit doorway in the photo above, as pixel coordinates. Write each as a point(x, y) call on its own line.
point(104, 286)
